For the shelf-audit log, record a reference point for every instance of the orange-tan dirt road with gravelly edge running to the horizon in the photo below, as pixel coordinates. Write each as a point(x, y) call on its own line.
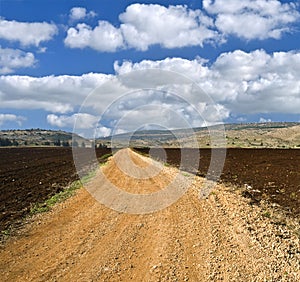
point(221, 238)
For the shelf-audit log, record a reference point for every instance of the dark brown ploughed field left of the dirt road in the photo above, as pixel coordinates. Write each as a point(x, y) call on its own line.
point(31, 175)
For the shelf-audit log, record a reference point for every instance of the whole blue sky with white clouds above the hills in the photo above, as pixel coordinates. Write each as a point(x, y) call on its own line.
point(111, 67)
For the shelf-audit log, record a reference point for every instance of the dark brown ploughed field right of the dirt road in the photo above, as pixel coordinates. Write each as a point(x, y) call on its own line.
point(272, 173)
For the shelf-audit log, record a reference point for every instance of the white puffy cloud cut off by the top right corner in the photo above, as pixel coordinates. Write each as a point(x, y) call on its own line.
point(253, 19)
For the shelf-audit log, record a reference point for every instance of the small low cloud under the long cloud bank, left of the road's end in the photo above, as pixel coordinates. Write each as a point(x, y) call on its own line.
point(82, 120)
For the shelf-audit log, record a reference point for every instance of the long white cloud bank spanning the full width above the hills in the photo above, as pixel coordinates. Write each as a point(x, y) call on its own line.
point(238, 83)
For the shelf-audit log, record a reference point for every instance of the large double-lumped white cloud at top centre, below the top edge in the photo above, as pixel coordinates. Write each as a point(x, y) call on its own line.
point(146, 25)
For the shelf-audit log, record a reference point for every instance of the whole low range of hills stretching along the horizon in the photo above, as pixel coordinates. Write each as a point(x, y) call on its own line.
point(250, 135)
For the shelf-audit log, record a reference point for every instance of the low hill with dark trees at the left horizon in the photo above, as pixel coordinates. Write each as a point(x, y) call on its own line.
point(36, 137)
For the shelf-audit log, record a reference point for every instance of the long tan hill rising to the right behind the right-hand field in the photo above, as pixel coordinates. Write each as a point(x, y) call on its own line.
point(257, 135)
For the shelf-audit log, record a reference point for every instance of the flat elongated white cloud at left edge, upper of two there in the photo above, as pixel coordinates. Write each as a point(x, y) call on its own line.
point(27, 33)
